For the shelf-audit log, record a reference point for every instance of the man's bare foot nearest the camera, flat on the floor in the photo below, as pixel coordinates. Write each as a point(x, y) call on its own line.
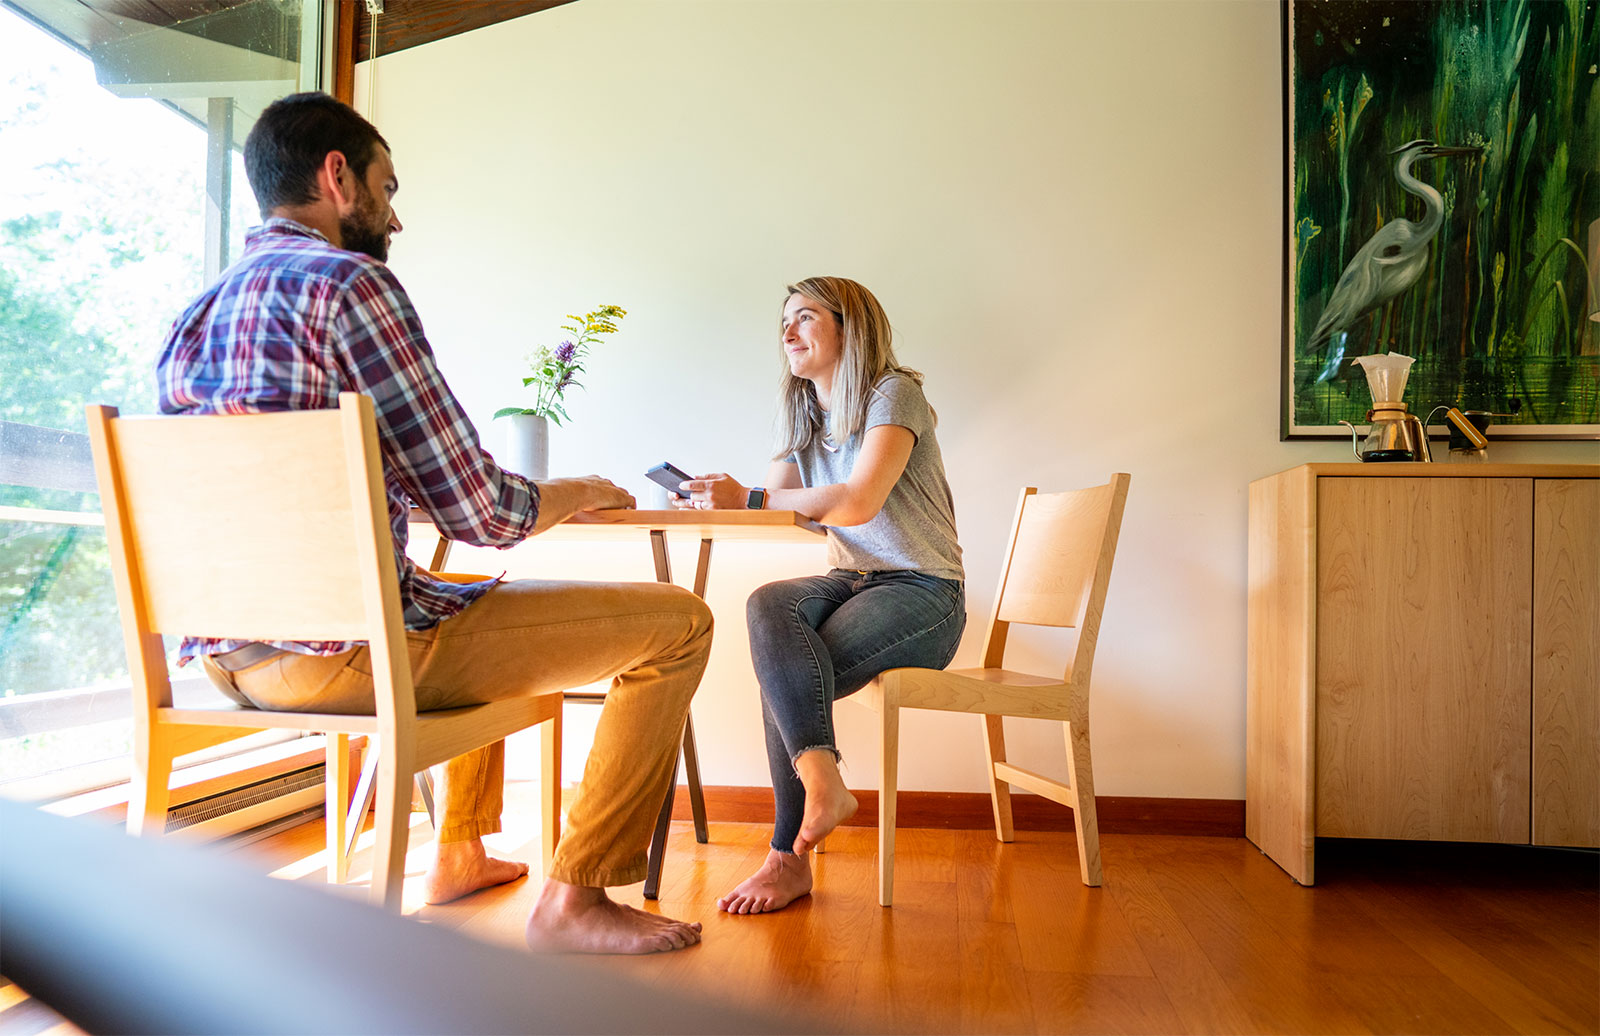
point(585, 920)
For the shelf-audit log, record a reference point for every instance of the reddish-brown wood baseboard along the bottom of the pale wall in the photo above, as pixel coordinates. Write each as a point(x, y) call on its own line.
point(972, 811)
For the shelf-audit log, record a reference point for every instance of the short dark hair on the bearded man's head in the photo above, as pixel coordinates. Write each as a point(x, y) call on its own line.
point(294, 137)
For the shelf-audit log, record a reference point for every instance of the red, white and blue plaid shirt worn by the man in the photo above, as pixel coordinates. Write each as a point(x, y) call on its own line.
point(290, 327)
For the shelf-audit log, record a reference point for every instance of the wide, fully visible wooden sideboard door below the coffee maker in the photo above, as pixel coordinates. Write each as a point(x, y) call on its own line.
point(1423, 644)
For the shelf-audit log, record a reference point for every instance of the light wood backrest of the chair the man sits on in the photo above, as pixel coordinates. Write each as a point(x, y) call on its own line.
point(252, 527)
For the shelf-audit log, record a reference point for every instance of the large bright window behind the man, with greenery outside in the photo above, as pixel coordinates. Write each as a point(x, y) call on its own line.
point(122, 194)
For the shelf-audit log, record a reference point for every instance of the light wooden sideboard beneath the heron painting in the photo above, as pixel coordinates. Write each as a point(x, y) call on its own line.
point(1423, 656)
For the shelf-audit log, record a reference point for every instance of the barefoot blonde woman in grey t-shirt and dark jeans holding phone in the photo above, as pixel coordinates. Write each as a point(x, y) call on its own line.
point(858, 455)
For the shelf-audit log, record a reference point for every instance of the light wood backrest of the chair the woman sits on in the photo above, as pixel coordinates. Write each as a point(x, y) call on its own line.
point(1058, 565)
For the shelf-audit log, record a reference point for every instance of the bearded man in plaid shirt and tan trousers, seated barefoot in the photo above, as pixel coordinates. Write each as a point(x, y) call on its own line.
point(310, 311)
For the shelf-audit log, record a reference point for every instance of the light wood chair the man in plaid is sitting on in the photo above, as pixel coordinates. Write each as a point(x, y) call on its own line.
point(198, 516)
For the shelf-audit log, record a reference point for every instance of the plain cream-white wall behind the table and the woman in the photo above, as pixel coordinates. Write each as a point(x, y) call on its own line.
point(1070, 210)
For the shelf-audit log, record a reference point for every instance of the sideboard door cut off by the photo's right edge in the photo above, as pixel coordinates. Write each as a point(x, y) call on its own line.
point(1567, 663)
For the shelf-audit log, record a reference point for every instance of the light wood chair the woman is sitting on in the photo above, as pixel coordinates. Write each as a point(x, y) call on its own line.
point(1055, 573)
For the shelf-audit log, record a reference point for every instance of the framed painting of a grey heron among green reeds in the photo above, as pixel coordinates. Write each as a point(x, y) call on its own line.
point(1442, 196)
